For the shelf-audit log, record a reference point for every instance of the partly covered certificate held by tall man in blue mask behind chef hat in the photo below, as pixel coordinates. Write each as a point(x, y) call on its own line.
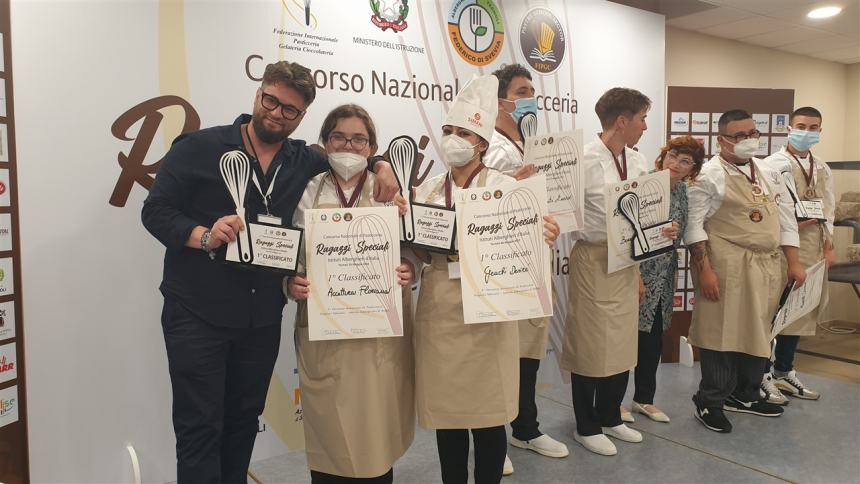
point(559, 157)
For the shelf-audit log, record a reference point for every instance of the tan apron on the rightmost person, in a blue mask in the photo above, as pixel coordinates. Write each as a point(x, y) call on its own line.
point(811, 251)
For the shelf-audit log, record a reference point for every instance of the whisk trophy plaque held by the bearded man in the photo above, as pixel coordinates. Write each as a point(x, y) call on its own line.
point(262, 244)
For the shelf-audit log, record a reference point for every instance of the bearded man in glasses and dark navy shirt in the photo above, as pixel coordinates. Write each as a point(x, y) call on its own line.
point(222, 323)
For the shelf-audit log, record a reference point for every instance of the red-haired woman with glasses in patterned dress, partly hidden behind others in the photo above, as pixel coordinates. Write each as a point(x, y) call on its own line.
point(682, 157)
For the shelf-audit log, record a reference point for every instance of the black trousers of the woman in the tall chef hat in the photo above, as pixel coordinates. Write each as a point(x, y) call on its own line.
point(491, 446)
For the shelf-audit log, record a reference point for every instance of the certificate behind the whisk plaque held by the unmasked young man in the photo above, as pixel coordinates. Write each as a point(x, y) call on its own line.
point(637, 210)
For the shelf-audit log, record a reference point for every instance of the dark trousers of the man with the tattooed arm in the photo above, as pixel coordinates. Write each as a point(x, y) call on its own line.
point(727, 373)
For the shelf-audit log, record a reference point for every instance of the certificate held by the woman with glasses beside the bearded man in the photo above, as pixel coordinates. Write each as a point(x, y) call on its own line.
point(351, 259)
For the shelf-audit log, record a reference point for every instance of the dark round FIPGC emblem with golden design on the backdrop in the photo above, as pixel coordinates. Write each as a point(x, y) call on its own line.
point(542, 40)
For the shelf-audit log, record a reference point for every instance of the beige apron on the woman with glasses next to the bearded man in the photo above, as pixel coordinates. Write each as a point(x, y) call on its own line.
point(357, 395)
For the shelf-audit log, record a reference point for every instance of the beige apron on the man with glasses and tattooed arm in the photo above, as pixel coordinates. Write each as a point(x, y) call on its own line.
point(745, 256)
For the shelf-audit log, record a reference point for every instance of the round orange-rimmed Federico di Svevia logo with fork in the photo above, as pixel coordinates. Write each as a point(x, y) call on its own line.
point(476, 30)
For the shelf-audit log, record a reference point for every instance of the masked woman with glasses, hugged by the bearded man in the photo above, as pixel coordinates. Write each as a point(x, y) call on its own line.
point(357, 394)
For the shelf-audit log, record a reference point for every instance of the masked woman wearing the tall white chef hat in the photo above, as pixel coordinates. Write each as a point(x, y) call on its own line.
point(466, 375)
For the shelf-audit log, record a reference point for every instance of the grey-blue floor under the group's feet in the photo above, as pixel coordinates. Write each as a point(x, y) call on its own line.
point(815, 441)
